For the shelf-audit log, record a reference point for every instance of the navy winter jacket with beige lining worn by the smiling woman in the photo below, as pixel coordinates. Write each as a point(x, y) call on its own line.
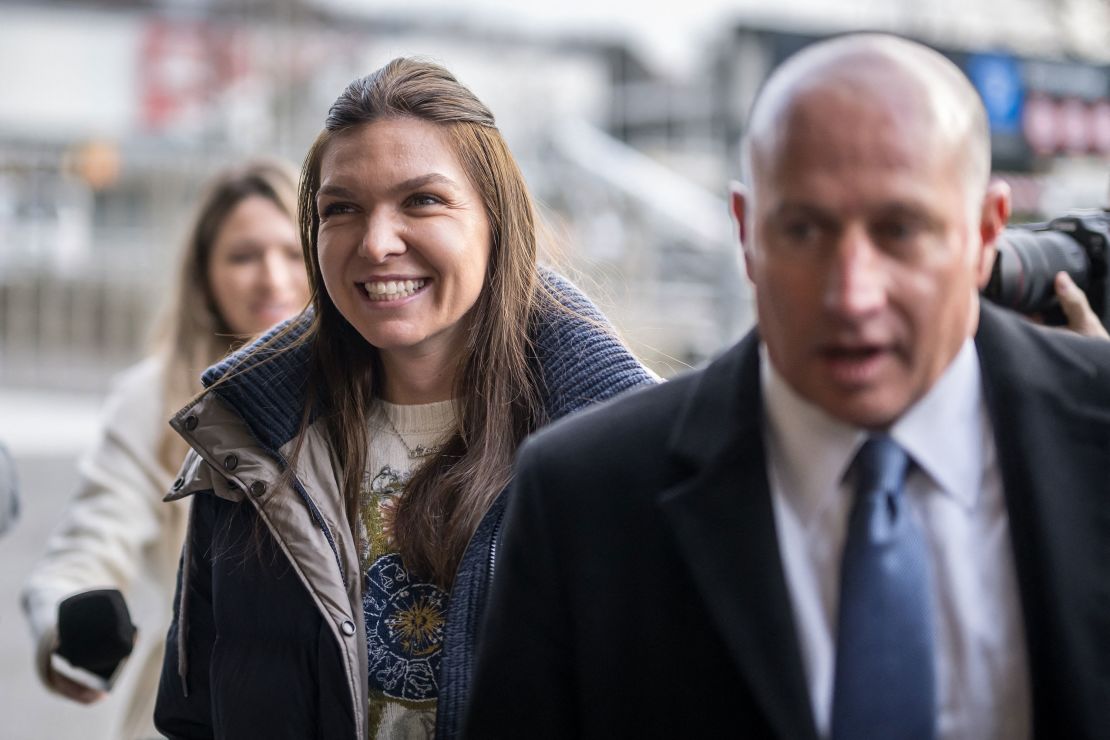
point(268, 637)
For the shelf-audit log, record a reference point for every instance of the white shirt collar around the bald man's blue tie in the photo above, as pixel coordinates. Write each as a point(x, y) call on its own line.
point(944, 433)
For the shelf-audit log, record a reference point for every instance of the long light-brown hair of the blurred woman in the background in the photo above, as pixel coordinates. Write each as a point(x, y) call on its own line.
point(191, 333)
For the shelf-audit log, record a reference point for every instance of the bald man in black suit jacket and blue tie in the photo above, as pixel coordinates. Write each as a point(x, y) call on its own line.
point(883, 514)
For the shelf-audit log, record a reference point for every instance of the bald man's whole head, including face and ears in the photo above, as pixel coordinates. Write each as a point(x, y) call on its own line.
point(870, 225)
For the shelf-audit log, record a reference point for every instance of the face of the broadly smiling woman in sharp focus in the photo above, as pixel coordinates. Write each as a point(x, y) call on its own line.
point(403, 240)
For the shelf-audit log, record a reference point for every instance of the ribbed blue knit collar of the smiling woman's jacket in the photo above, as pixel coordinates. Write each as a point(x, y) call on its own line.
point(581, 361)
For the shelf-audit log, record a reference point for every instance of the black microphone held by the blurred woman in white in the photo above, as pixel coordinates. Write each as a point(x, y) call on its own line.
point(95, 632)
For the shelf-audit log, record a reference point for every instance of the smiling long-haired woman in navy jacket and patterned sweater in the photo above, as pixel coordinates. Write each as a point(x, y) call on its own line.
point(368, 447)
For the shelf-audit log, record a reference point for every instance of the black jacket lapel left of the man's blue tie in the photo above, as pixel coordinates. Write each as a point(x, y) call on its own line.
point(721, 512)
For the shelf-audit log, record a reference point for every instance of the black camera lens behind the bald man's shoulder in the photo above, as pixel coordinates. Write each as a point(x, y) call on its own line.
point(1025, 270)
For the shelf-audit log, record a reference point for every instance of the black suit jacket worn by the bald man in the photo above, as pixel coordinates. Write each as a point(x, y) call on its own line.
point(640, 589)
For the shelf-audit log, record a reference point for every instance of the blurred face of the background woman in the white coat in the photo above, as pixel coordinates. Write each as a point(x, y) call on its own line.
point(256, 270)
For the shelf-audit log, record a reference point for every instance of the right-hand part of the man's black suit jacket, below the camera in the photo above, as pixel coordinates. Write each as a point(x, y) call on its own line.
point(1050, 403)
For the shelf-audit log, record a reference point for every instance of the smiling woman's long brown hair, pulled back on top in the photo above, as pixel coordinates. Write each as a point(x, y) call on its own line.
point(499, 400)
